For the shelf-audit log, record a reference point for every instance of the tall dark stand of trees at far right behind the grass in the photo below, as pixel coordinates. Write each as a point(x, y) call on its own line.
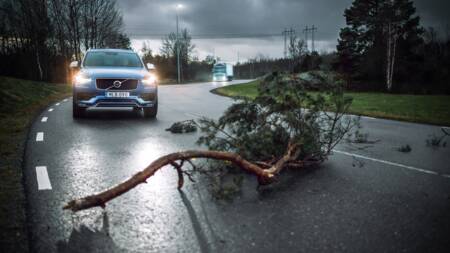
point(384, 47)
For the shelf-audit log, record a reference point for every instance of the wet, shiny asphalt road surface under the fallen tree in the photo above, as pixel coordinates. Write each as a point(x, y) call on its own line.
point(381, 201)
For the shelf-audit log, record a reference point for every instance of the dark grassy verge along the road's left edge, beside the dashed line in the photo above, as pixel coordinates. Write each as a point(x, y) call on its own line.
point(20, 102)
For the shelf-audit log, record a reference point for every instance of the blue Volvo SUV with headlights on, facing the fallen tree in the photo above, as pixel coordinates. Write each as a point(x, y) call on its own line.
point(114, 78)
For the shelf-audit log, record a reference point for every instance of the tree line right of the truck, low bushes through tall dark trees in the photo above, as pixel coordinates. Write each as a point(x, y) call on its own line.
point(383, 47)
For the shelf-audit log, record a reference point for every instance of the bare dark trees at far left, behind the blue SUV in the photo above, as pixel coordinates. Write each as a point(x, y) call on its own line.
point(38, 38)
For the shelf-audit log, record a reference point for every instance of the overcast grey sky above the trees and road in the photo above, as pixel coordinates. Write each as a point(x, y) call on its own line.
point(212, 20)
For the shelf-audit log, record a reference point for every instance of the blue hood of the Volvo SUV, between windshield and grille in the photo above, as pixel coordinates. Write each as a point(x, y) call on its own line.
point(119, 73)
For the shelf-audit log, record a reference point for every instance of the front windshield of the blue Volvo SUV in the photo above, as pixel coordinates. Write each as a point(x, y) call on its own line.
point(112, 59)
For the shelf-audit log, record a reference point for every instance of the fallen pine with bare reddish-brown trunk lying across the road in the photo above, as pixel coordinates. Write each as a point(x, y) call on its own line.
point(261, 136)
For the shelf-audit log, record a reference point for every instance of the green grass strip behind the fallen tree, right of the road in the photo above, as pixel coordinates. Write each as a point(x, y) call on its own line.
point(414, 108)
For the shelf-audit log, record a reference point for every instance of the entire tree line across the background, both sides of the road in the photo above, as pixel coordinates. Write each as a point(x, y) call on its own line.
point(383, 46)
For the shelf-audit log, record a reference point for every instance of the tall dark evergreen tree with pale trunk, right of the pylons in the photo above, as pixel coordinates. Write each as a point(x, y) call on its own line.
point(379, 34)
